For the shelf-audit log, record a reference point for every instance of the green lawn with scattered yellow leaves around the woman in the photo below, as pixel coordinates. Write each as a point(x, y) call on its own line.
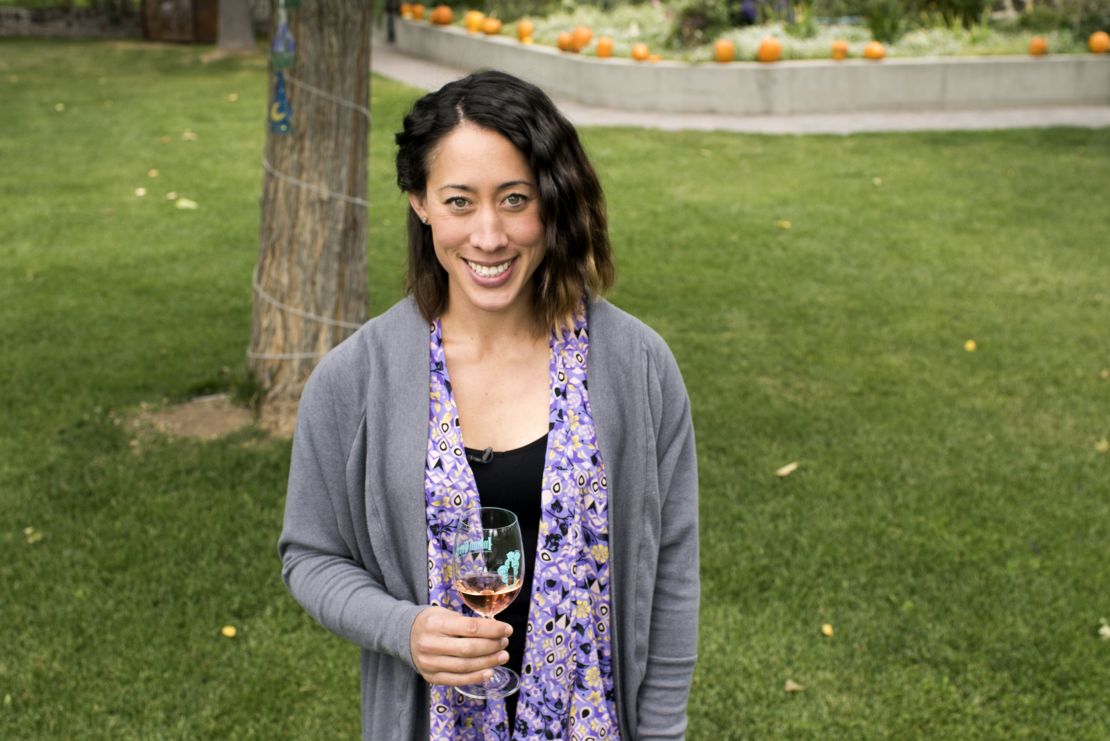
point(950, 517)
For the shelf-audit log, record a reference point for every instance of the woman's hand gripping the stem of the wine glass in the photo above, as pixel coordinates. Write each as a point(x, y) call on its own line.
point(449, 648)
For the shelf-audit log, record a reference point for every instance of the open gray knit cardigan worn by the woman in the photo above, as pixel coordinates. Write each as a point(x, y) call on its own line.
point(355, 547)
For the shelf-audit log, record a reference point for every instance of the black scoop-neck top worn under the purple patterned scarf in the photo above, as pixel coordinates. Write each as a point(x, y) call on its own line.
point(513, 481)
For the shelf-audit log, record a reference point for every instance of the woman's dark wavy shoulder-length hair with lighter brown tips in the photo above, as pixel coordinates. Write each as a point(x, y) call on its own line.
point(579, 260)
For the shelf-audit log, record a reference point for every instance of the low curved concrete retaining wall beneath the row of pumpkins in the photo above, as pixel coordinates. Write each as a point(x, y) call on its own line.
point(939, 84)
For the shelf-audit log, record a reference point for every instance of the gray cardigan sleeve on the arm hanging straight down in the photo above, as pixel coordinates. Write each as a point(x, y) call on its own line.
point(673, 638)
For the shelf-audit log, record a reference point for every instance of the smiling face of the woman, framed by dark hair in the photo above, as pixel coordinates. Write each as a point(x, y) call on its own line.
point(483, 207)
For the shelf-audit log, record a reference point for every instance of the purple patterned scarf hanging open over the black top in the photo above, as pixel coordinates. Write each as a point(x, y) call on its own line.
point(567, 684)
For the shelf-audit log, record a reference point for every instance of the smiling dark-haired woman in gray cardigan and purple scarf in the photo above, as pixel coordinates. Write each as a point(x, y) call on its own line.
point(504, 375)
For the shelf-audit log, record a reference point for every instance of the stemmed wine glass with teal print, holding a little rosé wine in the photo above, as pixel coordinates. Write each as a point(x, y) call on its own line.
point(489, 573)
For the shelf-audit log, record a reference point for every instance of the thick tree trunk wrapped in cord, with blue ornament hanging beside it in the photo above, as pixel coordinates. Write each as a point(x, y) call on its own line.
point(310, 289)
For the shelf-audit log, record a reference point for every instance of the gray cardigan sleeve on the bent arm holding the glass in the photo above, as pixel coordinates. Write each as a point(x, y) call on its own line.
point(318, 546)
